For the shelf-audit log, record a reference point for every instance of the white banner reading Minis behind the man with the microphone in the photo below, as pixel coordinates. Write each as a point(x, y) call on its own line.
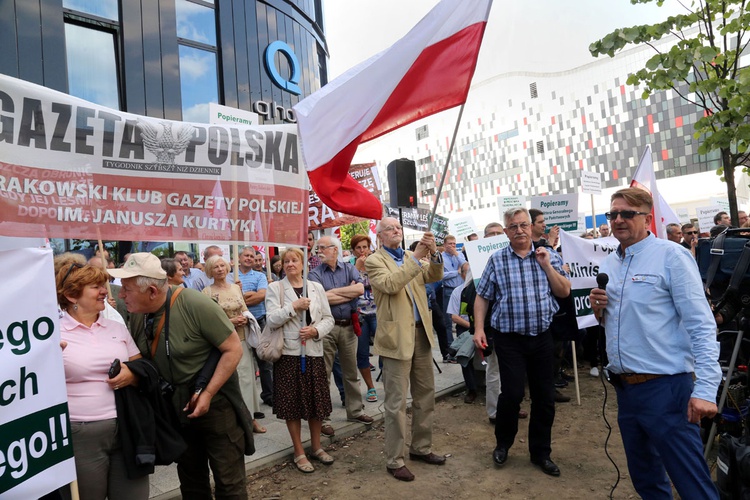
point(584, 257)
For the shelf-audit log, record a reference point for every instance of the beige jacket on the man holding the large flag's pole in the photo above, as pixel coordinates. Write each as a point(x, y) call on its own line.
point(396, 290)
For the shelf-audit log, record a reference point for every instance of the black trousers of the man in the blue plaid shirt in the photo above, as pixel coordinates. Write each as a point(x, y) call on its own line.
point(519, 357)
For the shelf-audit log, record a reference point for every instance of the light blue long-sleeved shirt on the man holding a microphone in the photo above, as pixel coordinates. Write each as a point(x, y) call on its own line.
point(657, 318)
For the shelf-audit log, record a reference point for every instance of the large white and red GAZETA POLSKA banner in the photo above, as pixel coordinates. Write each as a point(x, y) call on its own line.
point(73, 169)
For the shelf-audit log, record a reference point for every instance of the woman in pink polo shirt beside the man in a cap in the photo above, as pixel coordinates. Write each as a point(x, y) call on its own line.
point(91, 343)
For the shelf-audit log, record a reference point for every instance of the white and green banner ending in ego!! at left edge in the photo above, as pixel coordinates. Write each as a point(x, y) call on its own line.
point(36, 451)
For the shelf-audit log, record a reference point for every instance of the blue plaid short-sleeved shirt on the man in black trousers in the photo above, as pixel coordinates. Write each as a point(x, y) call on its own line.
point(524, 303)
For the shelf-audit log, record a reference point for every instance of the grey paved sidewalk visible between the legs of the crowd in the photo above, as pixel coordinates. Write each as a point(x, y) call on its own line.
point(275, 446)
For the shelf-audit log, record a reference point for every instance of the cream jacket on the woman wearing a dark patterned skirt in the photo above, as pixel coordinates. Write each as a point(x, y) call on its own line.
point(291, 322)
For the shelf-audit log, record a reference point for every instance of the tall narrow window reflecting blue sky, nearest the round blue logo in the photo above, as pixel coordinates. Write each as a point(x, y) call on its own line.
point(199, 75)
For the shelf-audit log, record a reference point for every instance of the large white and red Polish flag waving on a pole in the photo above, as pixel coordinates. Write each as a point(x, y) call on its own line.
point(427, 71)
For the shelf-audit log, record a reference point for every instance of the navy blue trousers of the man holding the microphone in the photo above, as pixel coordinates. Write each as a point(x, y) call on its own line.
point(659, 440)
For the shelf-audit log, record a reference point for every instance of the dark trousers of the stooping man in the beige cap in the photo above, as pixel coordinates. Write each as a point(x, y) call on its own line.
point(214, 440)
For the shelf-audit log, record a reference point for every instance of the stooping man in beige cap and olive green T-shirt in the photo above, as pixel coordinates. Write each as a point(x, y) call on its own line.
point(179, 333)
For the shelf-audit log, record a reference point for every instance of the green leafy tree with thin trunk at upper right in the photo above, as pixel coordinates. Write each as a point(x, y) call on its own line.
point(703, 67)
